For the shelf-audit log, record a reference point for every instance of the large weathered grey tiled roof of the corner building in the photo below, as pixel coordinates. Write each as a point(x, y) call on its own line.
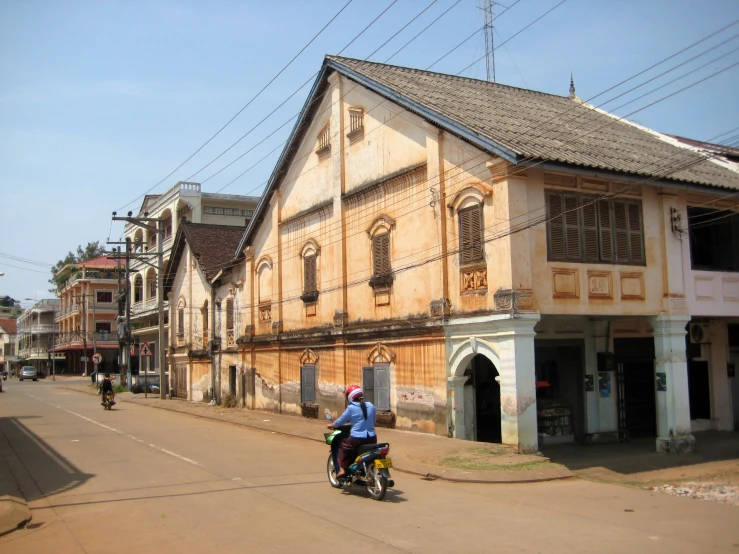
point(534, 126)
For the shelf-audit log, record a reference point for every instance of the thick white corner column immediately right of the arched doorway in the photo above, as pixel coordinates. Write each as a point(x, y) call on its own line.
point(518, 384)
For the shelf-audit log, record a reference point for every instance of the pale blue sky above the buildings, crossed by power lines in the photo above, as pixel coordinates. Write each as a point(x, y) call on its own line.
point(101, 100)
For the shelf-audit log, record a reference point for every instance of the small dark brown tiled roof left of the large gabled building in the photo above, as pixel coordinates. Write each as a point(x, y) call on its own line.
point(213, 245)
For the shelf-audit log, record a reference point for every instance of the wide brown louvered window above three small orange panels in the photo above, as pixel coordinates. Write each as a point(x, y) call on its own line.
point(584, 228)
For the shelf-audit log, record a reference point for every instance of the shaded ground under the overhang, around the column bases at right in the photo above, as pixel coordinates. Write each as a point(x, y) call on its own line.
point(639, 456)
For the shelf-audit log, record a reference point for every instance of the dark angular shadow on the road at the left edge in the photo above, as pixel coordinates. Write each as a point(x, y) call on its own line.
point(22, 450)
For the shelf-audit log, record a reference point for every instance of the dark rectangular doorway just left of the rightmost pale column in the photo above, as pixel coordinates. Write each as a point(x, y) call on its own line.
point(635, 384)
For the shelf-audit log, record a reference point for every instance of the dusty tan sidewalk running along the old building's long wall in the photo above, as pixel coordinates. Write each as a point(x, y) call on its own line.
point(430, 456)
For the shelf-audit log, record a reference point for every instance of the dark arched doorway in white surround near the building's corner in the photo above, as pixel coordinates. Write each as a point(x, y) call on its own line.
point(484, 378)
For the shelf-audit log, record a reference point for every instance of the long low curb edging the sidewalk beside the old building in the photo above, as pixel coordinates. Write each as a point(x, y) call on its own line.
point(416, 471)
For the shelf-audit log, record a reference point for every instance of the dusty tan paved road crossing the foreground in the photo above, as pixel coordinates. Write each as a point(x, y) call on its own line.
point(147, 480)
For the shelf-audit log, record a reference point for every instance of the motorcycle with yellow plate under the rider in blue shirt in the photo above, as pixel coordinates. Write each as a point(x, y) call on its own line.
point(371, 468)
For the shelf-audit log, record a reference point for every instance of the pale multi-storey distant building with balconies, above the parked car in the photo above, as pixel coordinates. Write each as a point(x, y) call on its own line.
point(37, 336)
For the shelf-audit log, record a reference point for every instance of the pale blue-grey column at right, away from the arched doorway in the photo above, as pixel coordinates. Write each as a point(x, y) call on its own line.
point(673, 406)
